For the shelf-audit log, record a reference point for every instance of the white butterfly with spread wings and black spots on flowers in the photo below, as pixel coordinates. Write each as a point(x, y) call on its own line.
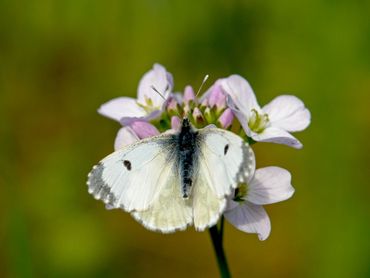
point(175, 179)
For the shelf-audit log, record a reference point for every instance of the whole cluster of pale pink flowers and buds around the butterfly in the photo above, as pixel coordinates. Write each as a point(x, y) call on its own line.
point(231, 104)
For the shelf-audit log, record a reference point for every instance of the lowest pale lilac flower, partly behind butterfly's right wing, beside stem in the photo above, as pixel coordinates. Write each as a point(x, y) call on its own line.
point(245, 211)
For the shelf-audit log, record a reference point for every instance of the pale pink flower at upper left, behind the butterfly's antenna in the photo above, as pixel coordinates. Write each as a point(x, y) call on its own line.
point(148, 104)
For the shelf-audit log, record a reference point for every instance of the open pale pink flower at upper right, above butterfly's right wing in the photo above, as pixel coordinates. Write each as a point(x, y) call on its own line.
point(271, 123)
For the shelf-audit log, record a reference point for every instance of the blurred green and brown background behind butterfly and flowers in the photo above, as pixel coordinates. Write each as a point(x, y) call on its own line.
point(59, 60)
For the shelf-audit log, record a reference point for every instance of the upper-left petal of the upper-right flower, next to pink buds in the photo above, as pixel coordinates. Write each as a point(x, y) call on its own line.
point(241, 93)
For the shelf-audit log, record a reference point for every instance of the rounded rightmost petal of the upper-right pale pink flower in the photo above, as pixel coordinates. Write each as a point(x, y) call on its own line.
point(288, 112)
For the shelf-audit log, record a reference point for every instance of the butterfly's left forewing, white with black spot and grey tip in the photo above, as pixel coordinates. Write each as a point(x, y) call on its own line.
point(132, 177)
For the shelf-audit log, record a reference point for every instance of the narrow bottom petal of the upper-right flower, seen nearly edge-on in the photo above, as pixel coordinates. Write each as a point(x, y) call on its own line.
point(277, 135)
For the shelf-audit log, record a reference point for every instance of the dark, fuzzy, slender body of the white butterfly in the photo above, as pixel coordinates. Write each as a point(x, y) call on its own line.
point(187, 154)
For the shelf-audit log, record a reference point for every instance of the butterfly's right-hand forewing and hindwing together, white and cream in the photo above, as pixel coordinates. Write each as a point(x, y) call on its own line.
point(225, 160)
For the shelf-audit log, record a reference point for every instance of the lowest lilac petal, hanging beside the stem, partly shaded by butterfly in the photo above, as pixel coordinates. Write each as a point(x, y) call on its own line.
point(250, 218)
